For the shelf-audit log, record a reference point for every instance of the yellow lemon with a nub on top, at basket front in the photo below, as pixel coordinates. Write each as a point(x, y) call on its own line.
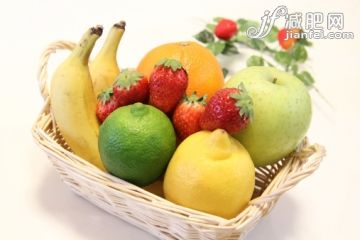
point(211, 172)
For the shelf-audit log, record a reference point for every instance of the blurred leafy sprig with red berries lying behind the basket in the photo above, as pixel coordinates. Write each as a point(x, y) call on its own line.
point(225, 36)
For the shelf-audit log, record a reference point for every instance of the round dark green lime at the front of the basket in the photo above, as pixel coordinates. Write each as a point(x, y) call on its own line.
point(136, 143)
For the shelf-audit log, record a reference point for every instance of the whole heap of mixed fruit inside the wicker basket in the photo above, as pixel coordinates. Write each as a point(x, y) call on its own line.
point(173, 119)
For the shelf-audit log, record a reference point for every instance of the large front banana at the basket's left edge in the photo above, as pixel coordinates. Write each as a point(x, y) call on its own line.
point(73, 102)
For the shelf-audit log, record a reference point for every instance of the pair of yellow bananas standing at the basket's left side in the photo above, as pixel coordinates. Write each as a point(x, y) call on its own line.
point(74, 87)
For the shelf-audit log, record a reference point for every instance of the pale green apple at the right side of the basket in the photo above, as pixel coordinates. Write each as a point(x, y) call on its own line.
point(282, 113)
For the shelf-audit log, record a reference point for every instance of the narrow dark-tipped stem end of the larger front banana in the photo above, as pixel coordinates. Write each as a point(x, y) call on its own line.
point(83, 49)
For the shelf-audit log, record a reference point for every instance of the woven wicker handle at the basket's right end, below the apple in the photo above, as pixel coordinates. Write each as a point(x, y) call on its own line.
point(313, 156)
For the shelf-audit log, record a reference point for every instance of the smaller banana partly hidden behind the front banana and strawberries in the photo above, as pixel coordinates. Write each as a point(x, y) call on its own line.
point(104, 69)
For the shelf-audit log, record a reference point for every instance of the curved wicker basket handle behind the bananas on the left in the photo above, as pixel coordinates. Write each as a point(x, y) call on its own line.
point(42, 75)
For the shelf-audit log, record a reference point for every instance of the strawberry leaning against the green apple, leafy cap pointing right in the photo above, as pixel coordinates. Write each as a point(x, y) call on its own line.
point(230, 109)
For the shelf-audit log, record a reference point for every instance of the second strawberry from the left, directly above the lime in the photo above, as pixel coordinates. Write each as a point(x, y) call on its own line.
point(130, 87)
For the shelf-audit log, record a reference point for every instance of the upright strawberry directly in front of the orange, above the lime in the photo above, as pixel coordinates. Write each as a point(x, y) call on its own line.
point(168, 83)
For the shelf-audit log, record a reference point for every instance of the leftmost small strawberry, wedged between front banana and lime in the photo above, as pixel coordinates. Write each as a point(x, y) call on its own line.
point(106, 104)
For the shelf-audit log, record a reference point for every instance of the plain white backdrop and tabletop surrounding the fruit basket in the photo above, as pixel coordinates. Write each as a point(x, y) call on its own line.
point(36, 205)
